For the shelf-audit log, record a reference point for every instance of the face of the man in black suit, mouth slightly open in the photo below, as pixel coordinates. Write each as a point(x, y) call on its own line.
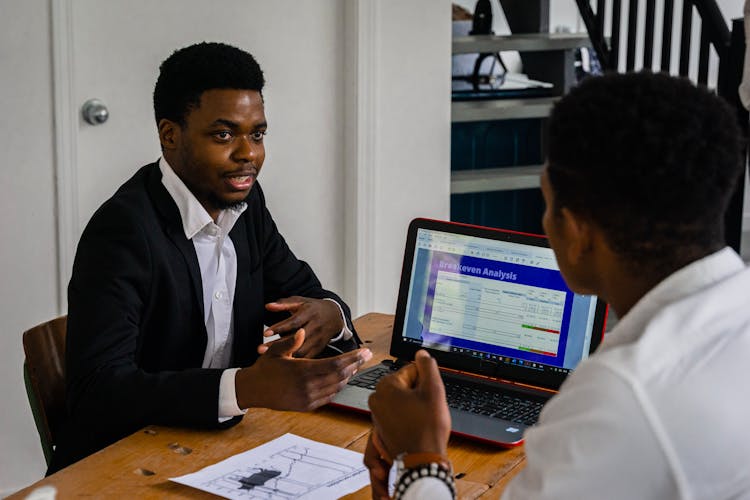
point(219, 151)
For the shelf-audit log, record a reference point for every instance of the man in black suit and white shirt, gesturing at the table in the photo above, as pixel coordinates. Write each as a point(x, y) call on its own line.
point(176, 275)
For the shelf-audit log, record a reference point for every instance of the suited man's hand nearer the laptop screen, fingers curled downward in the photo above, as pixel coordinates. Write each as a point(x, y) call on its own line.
point(320, 318)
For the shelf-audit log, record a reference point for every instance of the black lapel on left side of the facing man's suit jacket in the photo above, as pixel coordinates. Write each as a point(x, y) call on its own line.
point(172, 223)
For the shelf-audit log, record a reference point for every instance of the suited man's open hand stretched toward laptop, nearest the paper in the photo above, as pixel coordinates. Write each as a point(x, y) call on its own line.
point(281, 382)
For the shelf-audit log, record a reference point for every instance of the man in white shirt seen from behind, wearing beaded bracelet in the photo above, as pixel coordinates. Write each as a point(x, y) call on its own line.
point(639, 173)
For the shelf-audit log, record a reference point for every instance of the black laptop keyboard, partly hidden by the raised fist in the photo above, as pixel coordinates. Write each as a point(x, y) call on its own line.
point(470, 397)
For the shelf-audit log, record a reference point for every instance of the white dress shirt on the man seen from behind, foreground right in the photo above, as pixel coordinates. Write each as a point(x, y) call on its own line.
point(661, 410)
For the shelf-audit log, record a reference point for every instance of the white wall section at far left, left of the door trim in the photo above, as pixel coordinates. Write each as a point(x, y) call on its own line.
point(28, 294)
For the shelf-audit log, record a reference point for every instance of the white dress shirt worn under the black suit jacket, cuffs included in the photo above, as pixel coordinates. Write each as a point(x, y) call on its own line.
point(217, 260)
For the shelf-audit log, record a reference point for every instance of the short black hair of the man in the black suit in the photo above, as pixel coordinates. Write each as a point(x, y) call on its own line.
point(190, 71)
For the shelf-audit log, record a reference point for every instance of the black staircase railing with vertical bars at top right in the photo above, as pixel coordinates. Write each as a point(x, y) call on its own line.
point(729, 47)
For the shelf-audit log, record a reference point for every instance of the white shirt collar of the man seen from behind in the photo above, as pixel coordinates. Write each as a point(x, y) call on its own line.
point(687, 281)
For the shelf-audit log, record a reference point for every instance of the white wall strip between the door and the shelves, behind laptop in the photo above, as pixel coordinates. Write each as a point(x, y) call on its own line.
point(397, 142)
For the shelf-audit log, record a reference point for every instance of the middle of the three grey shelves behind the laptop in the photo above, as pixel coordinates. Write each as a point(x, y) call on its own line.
point(501, 109)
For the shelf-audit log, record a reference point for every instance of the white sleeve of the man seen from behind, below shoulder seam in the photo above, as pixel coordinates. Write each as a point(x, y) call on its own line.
point(582, 448)
